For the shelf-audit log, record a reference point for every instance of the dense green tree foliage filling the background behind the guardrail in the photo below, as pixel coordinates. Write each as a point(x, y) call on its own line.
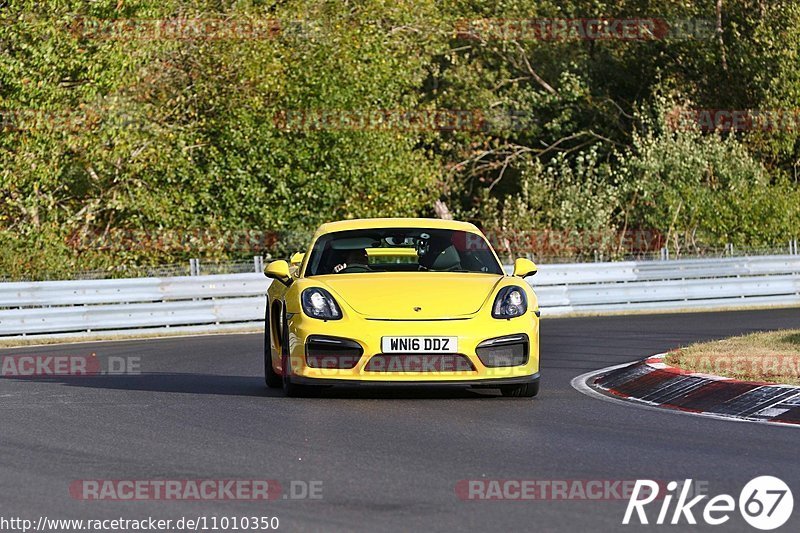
point(108, 126)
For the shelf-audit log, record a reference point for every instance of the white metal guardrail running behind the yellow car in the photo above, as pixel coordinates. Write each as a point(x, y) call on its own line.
point(237, 300)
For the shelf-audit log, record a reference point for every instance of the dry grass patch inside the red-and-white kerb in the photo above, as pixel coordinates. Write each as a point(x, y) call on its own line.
point(772, 356)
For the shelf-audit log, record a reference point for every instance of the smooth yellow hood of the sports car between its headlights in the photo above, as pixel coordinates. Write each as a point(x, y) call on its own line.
point(413, 295)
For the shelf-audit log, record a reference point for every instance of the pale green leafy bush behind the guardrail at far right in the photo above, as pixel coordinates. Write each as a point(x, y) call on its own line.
point(704, 189)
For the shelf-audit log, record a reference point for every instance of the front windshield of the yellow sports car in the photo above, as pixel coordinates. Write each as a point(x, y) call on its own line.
point(401, 250)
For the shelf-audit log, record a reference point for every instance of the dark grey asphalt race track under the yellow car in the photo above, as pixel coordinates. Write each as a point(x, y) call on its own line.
point(387, 460)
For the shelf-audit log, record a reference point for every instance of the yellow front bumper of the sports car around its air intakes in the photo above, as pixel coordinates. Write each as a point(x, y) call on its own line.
point(368, 333)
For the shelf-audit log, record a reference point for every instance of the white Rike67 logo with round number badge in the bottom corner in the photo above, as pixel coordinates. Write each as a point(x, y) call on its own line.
point(765, 503)
